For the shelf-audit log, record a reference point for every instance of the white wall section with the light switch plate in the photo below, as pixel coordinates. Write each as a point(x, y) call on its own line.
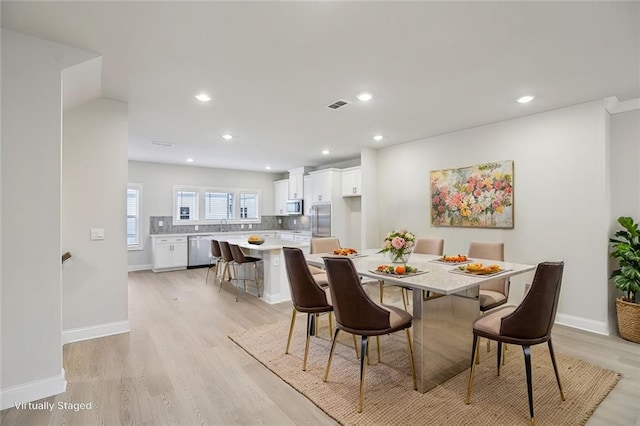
point(94, 185)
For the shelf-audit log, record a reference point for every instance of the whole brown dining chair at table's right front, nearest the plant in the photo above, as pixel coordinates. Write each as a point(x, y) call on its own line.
point(526, 325)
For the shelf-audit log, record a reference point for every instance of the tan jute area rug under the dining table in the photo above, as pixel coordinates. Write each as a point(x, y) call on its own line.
point(389, 395)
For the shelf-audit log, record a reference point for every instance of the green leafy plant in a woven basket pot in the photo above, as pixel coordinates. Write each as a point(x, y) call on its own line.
point(626, 249)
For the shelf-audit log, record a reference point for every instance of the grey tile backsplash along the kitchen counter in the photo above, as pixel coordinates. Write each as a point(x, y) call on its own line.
point(302, 223)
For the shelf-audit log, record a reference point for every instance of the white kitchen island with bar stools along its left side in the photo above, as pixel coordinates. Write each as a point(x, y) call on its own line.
point(274, 281)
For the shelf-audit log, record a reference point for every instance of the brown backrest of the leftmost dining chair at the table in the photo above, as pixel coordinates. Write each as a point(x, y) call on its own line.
point(305, 293)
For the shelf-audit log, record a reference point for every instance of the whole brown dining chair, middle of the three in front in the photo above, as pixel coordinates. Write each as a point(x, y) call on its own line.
point(357, 314)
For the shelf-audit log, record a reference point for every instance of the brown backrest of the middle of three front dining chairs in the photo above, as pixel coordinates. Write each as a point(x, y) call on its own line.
point(353, 308)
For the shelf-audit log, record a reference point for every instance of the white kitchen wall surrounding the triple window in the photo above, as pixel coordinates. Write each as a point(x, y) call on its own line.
point(157, 192)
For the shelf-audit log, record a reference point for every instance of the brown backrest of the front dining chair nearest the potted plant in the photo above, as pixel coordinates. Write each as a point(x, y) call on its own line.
point(535, 315)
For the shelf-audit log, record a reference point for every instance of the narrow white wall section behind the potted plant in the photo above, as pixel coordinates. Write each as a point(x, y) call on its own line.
point(625, 179)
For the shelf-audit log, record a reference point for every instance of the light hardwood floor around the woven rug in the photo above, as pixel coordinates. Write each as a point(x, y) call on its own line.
point(177, 365)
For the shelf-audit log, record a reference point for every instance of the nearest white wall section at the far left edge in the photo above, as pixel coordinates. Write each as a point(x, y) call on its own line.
point(31, 173)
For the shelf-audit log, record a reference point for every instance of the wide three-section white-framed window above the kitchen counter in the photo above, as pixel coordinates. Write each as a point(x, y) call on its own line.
point(205, 205)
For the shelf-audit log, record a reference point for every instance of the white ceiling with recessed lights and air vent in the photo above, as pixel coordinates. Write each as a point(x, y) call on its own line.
point(272, 68)
